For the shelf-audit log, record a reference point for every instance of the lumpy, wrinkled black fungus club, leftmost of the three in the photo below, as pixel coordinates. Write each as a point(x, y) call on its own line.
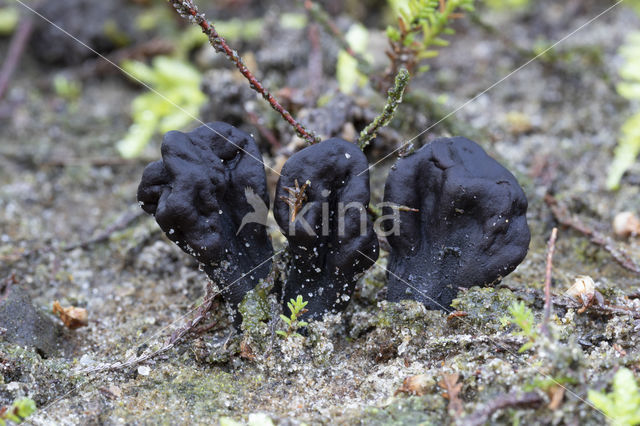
point(208, 181)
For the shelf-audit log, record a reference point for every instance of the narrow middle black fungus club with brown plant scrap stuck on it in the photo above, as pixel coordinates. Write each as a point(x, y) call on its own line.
point(326, 188)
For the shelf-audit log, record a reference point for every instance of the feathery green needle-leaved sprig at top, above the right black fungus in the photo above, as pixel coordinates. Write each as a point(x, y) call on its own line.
point(421, 25)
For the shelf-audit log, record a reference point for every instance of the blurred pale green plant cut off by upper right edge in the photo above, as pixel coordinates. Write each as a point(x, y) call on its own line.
point(629, 141)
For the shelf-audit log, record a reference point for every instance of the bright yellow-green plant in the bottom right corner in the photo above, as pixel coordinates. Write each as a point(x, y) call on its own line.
point(622, 404)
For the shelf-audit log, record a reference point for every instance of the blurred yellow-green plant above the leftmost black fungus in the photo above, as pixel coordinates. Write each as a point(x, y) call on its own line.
point(175, 99)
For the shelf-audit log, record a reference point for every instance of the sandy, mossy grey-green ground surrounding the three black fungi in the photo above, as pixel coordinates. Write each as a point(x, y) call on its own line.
point(554, 123)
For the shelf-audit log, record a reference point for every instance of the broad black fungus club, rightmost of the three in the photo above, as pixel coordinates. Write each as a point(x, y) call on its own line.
point(470, 228)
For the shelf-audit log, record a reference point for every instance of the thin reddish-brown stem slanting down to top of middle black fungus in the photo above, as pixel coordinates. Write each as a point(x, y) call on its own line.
point(188, 9)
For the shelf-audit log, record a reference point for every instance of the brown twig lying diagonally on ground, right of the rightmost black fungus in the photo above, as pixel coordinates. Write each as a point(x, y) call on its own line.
point(563, 216)
